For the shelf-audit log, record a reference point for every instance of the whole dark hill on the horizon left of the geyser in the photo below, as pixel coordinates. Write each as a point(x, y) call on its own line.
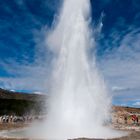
point(21, 103)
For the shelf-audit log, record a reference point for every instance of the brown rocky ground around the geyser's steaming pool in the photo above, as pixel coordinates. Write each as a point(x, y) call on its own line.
point(118, 122)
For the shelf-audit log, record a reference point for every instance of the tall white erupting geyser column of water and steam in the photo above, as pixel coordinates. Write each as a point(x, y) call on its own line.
point(78, 103)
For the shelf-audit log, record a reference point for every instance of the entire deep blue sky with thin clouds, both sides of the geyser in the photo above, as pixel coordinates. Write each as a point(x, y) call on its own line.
point(23, 28)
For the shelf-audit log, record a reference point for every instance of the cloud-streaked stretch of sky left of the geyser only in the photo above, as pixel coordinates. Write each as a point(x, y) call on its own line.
point(26, 59)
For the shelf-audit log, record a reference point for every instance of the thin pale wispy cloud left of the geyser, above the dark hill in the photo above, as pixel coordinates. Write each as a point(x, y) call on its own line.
point(26, 75)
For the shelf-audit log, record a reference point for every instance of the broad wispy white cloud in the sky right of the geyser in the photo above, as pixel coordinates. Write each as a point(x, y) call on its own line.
point(120, 64)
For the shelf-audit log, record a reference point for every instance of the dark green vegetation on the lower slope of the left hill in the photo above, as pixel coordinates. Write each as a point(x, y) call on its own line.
point(19, 107)
